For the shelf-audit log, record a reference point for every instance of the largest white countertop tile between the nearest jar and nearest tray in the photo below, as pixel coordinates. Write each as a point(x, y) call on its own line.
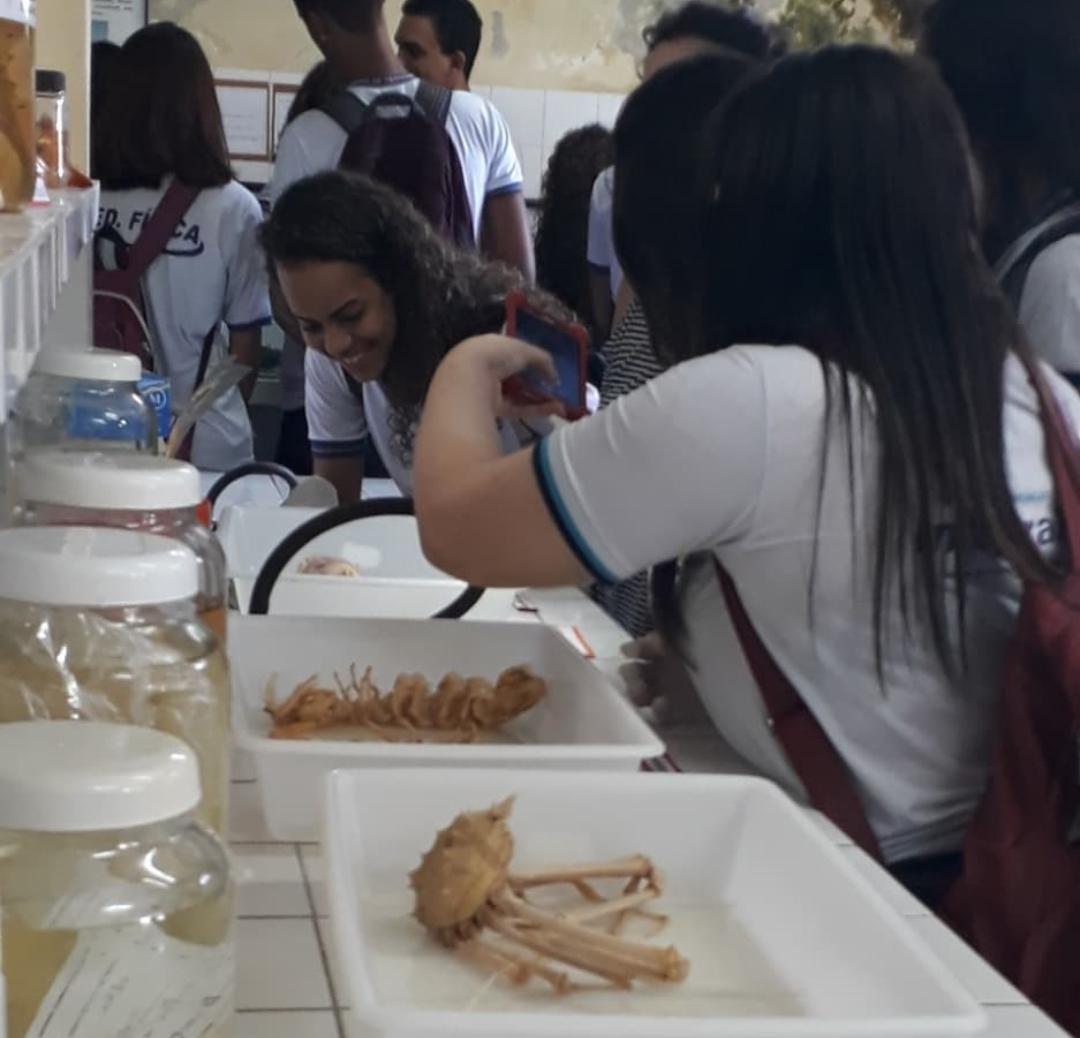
point(280, 966)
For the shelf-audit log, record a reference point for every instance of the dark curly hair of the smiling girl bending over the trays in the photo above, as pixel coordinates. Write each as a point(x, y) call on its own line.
point(441, 295)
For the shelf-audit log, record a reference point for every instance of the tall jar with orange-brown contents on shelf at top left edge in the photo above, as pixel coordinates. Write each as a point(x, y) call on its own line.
point(18, 138)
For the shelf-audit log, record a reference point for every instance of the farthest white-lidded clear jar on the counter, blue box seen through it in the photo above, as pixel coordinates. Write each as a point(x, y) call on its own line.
point(83, 399)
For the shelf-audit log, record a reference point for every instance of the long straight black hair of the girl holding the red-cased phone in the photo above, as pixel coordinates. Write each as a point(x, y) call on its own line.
point(842, 218)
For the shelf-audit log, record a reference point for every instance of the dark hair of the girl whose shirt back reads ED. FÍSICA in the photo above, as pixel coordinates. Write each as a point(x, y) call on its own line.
point(161, 116)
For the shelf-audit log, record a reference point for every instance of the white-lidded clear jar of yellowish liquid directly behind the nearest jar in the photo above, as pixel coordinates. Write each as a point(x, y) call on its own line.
point(101, 625)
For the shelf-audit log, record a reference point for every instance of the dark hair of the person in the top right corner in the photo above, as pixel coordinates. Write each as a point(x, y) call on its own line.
point(1014, 68)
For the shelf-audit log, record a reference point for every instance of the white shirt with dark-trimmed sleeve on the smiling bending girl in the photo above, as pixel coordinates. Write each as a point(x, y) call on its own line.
point(340, 422)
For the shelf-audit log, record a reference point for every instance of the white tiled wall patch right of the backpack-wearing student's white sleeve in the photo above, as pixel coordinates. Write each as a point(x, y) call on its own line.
point(539, 119)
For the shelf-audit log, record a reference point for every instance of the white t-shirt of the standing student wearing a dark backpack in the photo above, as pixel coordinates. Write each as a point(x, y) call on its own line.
point(314, 144)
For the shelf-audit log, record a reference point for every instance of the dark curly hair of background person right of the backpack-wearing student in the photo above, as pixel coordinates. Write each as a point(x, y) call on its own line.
point(563, 230)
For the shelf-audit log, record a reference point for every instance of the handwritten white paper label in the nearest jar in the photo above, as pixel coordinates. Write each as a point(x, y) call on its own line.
point(138, 982)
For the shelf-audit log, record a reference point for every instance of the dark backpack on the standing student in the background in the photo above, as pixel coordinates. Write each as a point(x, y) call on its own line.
point(402, 142)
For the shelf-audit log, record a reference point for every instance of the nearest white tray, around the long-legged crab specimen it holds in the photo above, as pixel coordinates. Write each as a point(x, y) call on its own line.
point(786, 938)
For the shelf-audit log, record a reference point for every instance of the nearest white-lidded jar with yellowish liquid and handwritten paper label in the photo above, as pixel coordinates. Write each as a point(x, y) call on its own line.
point(111, 892)
